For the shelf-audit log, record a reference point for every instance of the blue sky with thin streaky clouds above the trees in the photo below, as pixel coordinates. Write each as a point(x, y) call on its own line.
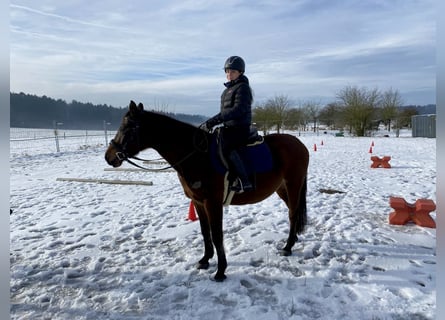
point(170, 54)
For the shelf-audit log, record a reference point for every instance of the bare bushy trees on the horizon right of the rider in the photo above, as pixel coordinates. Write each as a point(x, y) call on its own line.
point(358, 110)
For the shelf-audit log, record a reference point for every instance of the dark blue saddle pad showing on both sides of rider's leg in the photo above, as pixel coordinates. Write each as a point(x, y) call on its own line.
point(256, 158)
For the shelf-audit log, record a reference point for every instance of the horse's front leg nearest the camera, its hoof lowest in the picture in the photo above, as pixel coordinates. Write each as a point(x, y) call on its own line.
point(215, 216)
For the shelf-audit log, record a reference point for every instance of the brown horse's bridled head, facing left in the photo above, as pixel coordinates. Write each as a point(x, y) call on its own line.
point(126, 143)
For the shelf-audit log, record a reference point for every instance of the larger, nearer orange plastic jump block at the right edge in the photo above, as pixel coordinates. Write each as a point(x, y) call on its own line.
point(419, 212)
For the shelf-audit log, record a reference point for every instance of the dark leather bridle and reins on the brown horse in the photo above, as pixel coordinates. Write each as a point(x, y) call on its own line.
point(122, 153)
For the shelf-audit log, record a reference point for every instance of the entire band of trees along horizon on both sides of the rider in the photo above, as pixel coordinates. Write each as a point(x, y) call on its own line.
point(358, 110)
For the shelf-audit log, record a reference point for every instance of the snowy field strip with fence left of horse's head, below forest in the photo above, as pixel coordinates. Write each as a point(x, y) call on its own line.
point(27, 141)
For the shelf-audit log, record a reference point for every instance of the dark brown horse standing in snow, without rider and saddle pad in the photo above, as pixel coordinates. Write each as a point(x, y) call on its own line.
point(185, 148)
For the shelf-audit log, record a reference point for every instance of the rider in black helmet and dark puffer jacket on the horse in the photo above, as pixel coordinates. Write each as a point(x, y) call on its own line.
point(236, 115)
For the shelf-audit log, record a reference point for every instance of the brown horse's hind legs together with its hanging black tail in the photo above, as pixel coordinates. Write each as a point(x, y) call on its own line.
point(295, 199)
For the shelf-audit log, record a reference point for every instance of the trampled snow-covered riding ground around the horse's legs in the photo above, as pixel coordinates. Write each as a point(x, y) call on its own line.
point(103, 251)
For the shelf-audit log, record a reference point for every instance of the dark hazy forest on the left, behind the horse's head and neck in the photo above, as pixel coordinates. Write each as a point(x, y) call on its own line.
point(31, 111)
